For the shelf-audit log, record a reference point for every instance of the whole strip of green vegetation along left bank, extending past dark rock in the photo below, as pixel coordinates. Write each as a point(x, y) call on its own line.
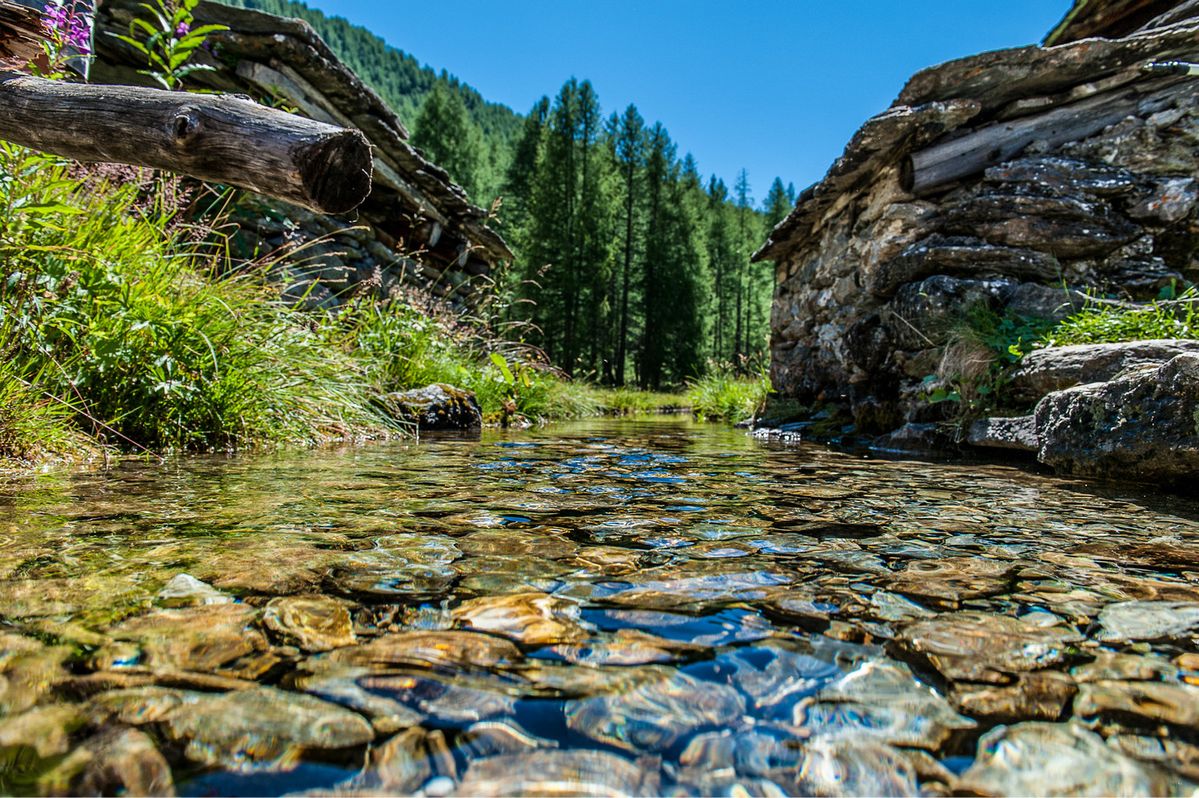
point(116, 323)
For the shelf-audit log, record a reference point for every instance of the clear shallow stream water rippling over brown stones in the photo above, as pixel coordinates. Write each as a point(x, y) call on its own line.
point(612, 608)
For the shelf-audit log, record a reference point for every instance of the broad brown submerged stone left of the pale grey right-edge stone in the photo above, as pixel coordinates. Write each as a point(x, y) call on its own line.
point(985, 648)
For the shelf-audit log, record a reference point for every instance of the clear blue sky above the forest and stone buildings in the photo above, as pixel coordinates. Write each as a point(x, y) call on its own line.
point(770, 86)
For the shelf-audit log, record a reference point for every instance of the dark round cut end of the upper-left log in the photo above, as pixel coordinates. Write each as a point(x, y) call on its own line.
point(338, 171)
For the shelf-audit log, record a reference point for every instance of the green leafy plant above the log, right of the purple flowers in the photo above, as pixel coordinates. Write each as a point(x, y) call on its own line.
point(168, 39)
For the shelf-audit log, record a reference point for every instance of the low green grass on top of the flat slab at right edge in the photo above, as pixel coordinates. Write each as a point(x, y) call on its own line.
point(1102, 323)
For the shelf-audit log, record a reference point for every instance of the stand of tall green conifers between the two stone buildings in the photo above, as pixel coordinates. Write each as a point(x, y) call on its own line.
point(631, 269)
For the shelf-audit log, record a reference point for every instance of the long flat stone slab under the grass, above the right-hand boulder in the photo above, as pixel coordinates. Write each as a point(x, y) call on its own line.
point(1046, 371)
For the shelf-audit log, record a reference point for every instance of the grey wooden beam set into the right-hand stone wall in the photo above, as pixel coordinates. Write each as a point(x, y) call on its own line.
point(939, 166)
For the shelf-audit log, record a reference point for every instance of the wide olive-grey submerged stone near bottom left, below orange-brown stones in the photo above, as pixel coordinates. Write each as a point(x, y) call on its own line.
point(263, 729)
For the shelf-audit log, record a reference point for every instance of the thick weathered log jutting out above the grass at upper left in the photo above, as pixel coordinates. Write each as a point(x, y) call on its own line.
point(215, 138)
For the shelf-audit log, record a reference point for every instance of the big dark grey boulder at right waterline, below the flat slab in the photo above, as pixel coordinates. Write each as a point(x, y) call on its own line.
point(1144, 425)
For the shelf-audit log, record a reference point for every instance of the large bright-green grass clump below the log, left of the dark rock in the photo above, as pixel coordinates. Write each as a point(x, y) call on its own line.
point(136, 331)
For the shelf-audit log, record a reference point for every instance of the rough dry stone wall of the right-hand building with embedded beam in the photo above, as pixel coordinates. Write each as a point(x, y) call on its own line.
point(1074, 170)
